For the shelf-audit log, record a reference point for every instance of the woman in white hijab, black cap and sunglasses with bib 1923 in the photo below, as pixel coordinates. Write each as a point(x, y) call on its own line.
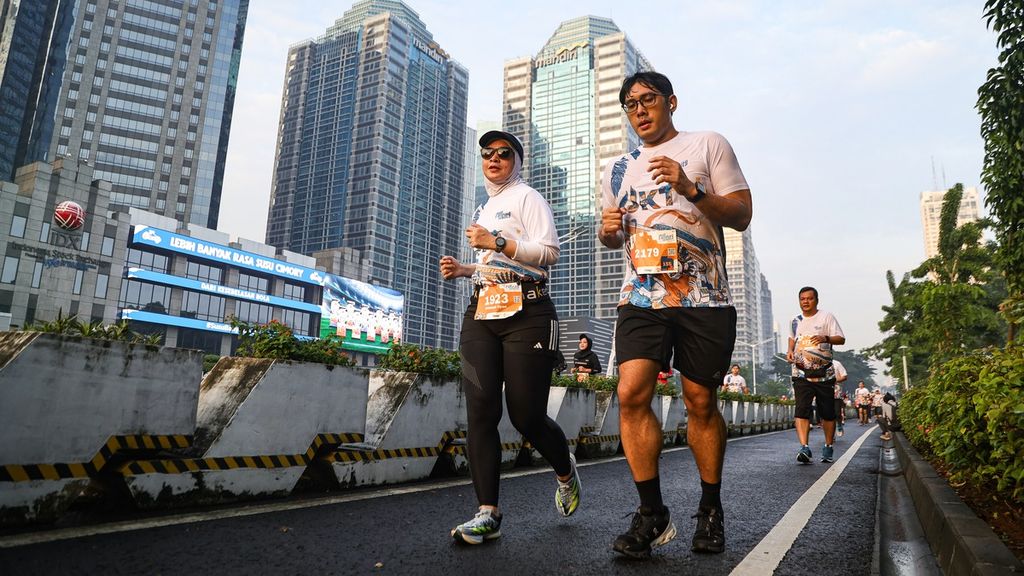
point(509, 334)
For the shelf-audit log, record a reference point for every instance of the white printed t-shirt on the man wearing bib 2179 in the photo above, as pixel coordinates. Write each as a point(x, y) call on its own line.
point(627, 184)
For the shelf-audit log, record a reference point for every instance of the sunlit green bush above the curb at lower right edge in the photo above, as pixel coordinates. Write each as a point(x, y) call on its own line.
point(971, 417)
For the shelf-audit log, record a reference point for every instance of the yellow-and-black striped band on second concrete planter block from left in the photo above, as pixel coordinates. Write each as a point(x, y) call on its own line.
point(322, 443)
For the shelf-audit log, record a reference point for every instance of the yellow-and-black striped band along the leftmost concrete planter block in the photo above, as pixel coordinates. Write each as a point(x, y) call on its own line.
point(114, 445)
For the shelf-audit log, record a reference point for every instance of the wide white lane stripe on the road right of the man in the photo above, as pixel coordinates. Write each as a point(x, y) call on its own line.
point(765, 558)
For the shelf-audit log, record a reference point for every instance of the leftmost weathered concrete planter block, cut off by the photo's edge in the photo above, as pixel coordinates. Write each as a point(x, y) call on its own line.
point(66, 400)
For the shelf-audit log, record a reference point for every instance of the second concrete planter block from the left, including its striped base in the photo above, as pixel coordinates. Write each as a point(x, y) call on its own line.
point(261, 424)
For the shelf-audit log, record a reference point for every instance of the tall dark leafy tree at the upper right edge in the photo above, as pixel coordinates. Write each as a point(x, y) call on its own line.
point(1001, 103)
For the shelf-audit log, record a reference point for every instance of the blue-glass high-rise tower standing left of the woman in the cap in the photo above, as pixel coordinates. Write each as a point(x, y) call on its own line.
point(371, 156)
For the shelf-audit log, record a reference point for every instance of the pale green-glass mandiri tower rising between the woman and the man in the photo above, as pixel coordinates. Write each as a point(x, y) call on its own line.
point(564, 105)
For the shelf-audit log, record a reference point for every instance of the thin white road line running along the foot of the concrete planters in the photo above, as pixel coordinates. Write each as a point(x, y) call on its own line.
point(254, 510)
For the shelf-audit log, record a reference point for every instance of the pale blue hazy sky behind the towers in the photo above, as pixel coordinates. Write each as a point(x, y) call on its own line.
point(841, 113)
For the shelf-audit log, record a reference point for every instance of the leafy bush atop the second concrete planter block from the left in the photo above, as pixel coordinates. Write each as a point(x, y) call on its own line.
point(276, 341)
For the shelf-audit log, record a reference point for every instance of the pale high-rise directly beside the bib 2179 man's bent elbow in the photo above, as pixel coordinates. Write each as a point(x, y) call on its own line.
point(751, 297)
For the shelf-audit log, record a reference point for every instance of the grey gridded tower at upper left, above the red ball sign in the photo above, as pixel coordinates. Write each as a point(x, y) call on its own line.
point(146, 98)
